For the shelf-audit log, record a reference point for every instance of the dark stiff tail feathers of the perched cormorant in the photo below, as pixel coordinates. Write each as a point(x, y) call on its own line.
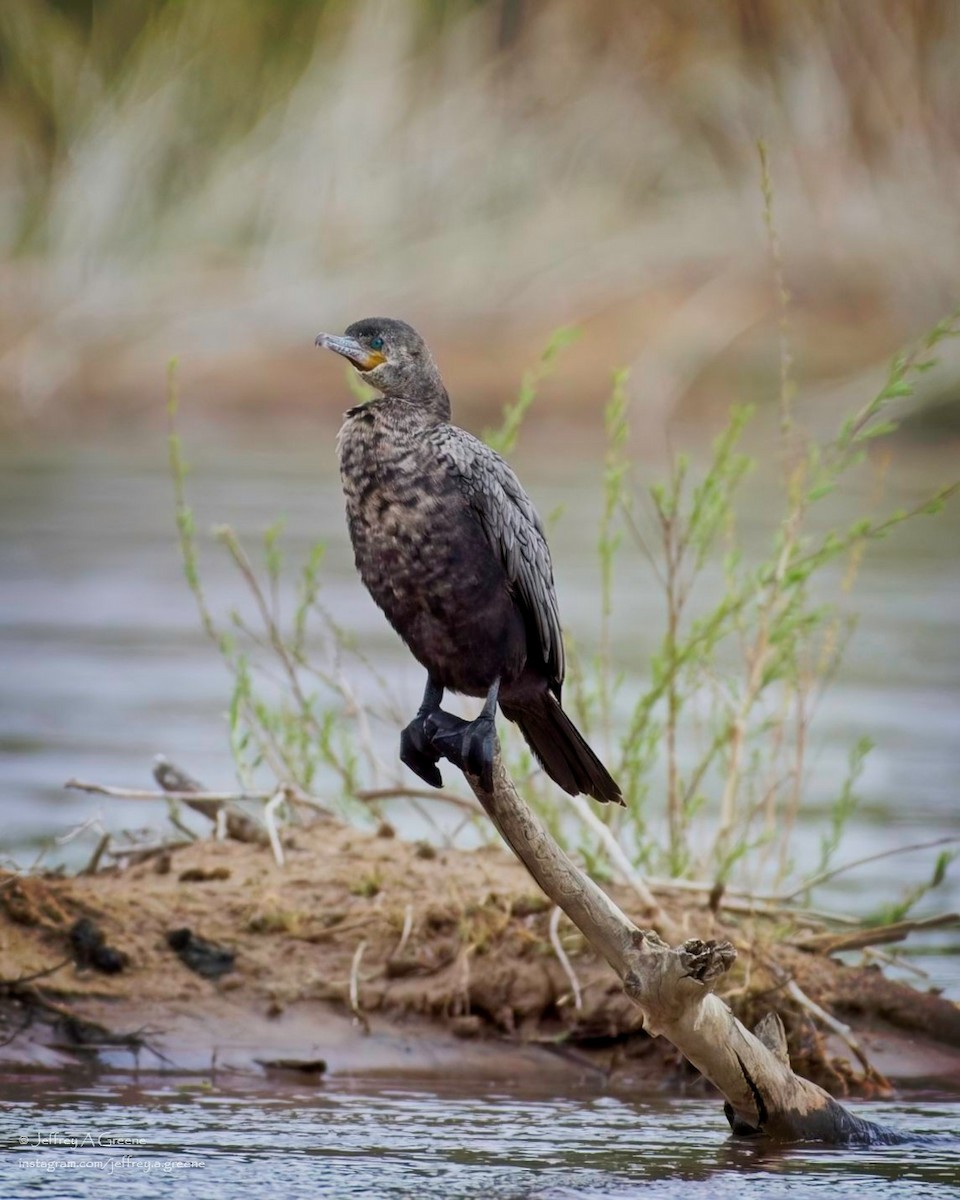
point(561, 748)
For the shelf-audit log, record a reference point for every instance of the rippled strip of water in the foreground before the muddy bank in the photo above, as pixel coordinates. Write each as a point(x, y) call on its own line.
point(392, 1142)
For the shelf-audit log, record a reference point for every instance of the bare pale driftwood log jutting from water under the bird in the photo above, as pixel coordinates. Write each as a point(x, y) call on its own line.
point(674, 988)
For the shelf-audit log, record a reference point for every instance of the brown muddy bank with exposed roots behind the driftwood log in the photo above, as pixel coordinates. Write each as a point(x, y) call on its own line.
point(370, 955)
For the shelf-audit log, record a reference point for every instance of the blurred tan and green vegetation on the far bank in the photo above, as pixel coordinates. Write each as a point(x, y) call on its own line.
point(223, 178)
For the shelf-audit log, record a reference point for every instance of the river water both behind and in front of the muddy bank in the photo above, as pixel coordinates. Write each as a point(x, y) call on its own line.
point(103, 665)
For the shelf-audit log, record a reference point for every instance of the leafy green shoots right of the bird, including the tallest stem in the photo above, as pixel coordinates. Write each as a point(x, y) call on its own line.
point(748, 645)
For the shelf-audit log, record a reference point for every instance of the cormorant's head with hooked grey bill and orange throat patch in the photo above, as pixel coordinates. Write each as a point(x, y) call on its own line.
point(391, 356)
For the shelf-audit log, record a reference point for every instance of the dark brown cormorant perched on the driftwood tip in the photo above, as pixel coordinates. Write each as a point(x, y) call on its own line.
point(452, 549)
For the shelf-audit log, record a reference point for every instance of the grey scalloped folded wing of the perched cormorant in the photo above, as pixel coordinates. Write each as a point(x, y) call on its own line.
point(513, 529)
